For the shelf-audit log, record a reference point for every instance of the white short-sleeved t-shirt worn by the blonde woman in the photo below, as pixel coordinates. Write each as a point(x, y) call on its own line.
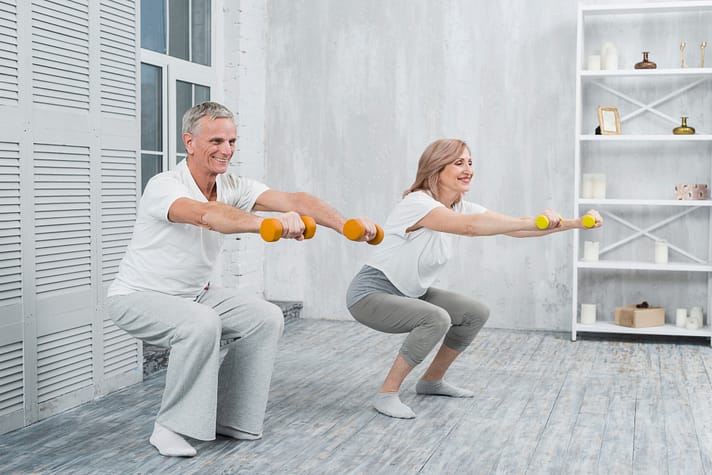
point(412, 261)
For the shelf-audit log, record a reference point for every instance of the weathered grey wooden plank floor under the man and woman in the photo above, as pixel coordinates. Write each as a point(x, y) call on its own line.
point(544, 404)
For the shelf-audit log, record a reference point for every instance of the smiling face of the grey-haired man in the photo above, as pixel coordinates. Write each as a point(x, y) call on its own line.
point(212, 144)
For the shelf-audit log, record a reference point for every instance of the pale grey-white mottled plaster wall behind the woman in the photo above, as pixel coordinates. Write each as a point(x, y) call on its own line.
point(356, 90)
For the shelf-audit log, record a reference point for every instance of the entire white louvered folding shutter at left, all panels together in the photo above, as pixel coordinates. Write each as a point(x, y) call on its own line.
point(69, 144)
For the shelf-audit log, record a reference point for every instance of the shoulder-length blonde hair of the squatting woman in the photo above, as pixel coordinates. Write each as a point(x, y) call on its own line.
point(434, 159)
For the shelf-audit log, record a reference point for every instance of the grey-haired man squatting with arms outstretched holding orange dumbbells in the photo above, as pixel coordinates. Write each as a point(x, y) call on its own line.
point(162, 294)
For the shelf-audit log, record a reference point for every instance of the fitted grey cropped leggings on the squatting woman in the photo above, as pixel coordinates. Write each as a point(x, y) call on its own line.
point(426, 319)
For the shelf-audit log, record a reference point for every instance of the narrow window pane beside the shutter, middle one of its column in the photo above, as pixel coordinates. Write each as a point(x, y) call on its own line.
point(151, 108)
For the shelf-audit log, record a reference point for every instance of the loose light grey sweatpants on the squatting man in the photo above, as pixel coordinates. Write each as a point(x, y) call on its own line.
point(199, 390)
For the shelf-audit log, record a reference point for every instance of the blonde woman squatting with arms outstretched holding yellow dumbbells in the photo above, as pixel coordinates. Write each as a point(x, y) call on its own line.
point(392, 292)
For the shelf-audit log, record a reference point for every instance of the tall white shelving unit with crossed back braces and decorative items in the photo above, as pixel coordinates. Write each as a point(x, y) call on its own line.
point(643, 164)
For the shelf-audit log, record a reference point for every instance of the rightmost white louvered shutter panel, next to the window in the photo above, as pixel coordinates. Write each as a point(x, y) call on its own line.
point(122, 354)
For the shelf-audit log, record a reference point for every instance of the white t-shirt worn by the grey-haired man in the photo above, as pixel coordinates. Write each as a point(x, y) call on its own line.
point(175, 258)
